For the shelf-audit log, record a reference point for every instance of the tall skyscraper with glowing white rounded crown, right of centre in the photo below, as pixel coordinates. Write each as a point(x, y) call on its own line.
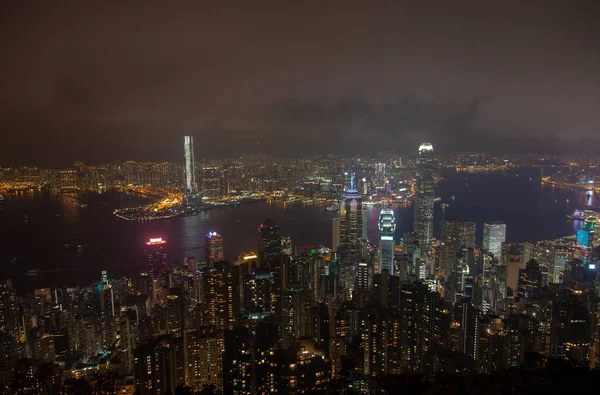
point(424, 196)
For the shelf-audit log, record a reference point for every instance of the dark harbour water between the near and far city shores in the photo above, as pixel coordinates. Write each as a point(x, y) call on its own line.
point(532, 212)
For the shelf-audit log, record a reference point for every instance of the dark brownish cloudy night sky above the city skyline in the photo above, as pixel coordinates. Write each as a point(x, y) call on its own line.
point(125, 81)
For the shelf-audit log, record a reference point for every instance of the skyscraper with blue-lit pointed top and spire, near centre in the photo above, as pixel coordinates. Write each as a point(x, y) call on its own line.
point(351, 213)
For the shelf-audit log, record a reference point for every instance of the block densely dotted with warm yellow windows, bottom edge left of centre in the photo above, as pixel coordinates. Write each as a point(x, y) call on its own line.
point(203, 358)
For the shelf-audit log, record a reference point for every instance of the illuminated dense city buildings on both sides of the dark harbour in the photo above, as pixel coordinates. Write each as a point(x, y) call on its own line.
point(285, 318)
